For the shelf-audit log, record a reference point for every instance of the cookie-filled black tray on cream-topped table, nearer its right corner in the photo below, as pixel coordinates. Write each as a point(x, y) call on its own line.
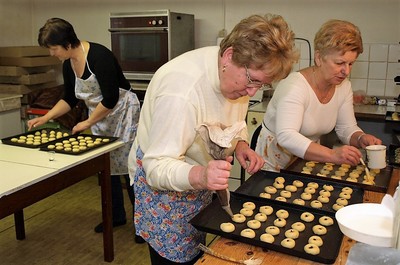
point(78, 144)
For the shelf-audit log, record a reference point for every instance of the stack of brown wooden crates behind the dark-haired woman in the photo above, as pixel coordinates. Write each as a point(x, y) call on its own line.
point(27, 69)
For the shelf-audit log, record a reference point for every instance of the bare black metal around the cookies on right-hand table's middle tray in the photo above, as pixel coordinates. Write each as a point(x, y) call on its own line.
point(257, 182)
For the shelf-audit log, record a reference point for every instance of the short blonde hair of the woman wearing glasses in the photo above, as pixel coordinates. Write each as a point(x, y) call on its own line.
point(263, 42)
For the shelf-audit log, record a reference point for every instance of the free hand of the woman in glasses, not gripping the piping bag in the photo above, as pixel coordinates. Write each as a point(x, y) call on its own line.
point(248, 158)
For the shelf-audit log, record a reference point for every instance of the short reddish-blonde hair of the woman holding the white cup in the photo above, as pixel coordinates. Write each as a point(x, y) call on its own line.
point(338, 35)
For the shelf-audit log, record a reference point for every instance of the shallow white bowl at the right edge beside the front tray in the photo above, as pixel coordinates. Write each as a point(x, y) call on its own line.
point(369, 223)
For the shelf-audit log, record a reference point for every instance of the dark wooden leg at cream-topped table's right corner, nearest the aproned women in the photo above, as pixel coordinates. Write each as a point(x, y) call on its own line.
point(105, 180)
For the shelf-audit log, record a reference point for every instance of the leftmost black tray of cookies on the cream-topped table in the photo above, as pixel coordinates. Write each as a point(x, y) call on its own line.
point(36, 138)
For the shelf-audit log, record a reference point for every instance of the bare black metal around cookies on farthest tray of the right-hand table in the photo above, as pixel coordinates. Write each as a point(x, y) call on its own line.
point(382, 179)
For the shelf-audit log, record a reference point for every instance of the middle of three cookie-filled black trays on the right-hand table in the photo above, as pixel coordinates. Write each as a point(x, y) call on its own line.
point(309, 192)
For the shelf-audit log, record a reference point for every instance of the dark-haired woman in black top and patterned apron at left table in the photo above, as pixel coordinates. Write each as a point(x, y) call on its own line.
point(92, 74)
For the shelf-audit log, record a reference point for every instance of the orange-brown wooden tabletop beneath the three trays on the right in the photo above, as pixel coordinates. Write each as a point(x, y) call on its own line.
point(242, 251)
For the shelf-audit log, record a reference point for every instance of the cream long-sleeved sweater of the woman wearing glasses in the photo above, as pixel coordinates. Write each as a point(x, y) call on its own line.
point(182, 94)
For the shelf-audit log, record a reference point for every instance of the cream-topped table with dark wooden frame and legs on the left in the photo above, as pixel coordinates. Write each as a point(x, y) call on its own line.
point(27, 176)
